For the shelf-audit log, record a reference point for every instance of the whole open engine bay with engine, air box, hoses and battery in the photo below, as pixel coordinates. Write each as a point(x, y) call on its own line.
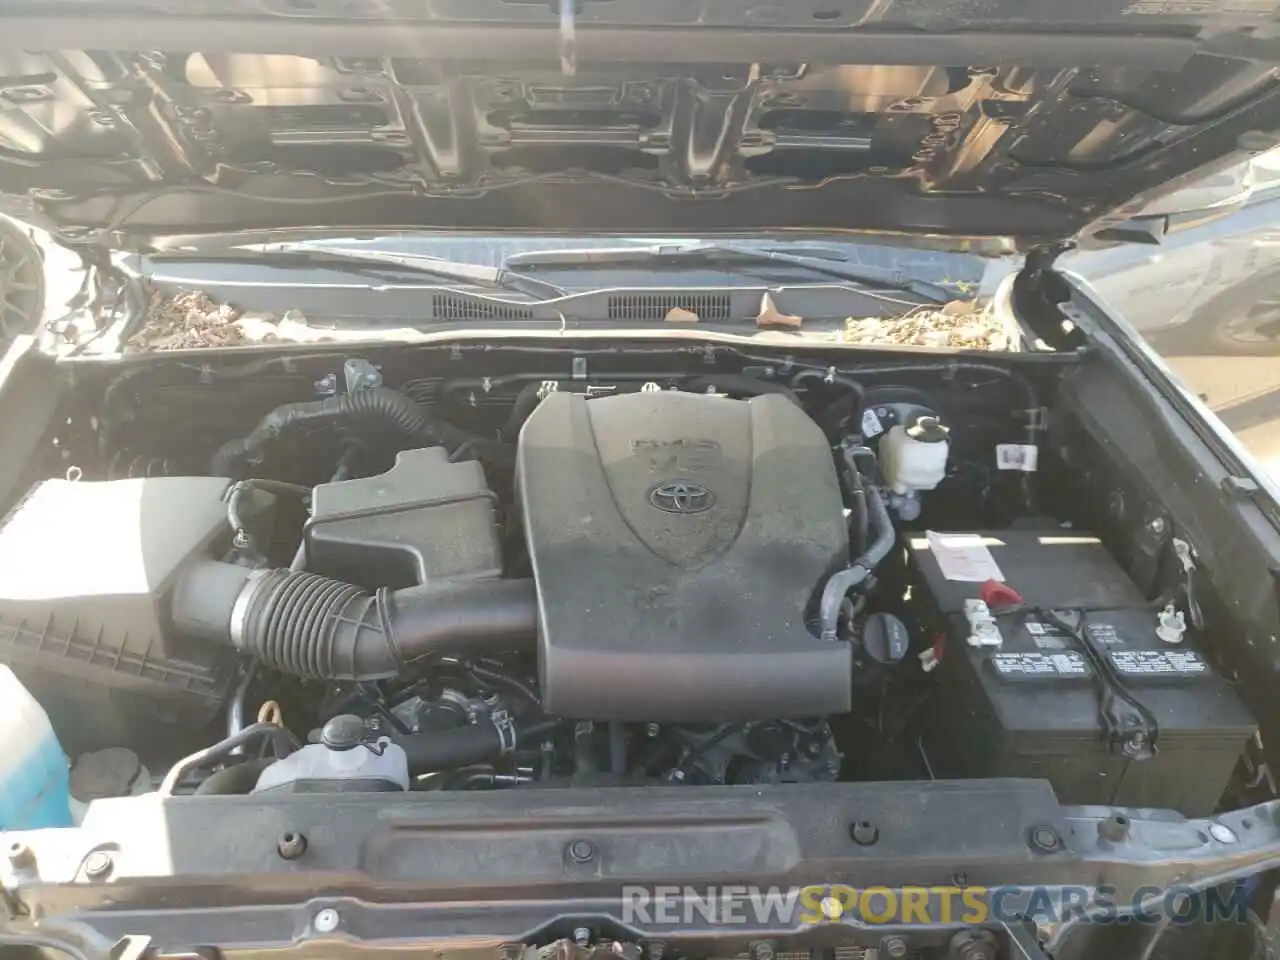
point(326, 573)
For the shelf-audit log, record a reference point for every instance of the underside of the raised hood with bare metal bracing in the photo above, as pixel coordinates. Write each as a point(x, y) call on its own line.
point(1030, 120)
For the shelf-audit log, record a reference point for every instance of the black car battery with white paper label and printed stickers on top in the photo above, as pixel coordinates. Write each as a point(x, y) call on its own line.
point(1027, 702)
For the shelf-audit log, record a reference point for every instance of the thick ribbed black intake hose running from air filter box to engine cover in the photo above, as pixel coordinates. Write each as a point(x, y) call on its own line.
point(313, 627)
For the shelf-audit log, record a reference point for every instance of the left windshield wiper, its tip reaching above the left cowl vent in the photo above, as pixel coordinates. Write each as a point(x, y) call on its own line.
point(372, 263)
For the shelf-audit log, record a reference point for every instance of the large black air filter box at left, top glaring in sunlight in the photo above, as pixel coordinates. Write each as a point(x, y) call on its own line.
point(85, 573)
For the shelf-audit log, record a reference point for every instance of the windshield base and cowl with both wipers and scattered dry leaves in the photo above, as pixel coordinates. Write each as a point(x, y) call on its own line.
point(309, 287)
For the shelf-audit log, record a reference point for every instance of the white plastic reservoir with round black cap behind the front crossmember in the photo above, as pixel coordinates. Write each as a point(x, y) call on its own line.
point(346, 756)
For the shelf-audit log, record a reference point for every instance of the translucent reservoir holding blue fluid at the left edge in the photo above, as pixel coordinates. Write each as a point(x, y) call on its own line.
point(34, 778)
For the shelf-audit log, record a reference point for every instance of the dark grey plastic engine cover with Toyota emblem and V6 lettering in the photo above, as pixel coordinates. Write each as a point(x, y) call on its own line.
point(678, 542)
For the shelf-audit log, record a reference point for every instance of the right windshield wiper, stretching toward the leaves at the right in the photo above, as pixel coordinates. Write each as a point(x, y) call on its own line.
point(716, 254)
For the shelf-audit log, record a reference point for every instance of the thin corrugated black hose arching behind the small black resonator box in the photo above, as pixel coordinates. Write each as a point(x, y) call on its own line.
point(381, 404)
